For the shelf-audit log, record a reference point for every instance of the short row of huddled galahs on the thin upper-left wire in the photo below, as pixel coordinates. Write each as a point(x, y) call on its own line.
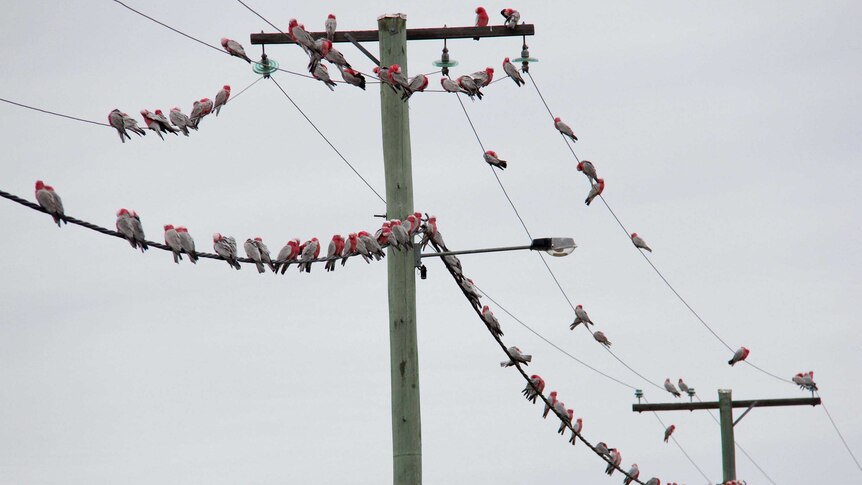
point(177, 122)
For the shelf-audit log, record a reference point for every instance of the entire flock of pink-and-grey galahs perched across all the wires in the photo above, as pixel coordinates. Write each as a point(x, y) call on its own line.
point(394, 233)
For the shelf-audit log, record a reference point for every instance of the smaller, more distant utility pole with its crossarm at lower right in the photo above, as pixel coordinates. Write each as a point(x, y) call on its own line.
point(725, 405)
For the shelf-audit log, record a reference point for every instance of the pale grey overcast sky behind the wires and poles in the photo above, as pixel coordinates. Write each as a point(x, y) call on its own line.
point(729, 137)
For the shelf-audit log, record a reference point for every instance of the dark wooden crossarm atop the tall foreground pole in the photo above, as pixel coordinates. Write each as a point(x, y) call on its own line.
point(433, 33)
